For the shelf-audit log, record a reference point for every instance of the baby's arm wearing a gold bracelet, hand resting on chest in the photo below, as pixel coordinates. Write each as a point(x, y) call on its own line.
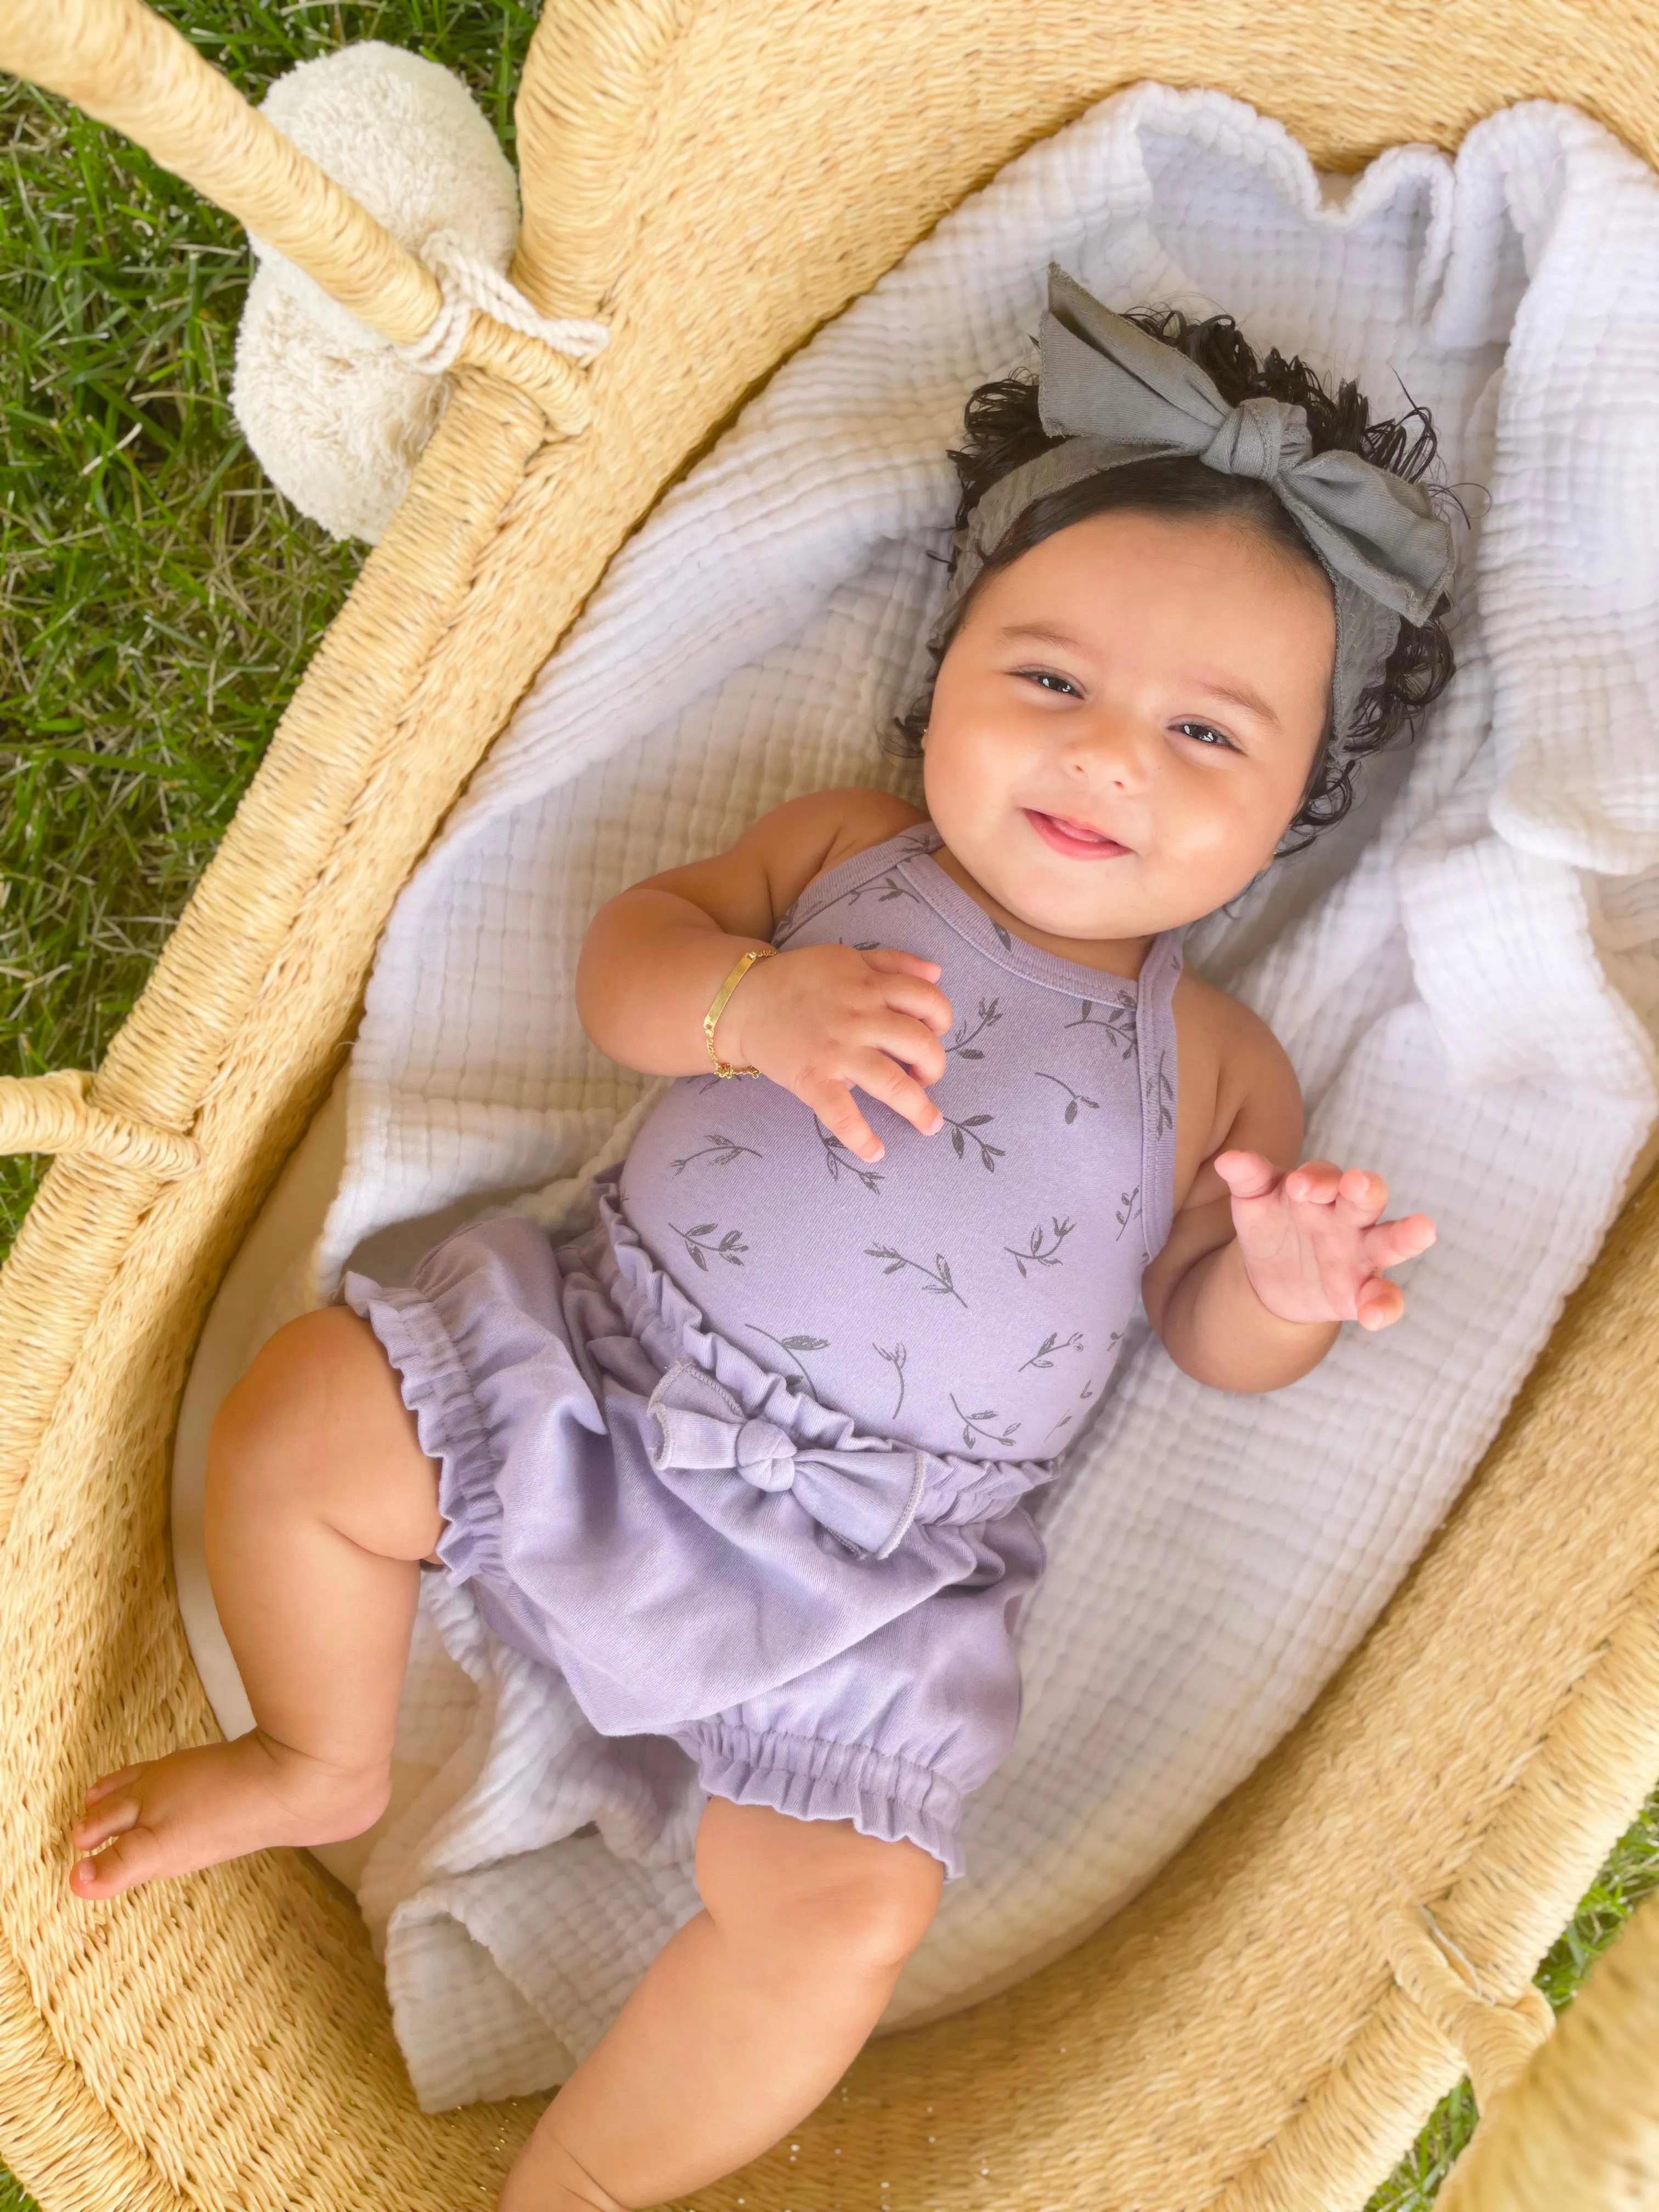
point(815, 1021)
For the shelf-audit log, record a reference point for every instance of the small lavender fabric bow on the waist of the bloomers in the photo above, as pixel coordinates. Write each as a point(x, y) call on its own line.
point(864, 1499)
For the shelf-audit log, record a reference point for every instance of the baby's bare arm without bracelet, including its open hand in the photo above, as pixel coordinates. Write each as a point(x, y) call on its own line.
point(1266, 1258)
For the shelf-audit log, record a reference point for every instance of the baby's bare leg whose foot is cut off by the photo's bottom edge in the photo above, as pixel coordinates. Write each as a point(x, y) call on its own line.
point(747, 2018)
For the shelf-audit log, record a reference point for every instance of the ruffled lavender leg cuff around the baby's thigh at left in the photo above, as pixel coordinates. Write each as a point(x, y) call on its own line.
point(450, 1423)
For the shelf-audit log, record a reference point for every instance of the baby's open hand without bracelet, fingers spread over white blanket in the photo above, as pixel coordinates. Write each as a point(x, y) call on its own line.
point(1315, 1240)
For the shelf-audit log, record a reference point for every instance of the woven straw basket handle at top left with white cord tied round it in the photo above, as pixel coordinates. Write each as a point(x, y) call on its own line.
point(125, 67)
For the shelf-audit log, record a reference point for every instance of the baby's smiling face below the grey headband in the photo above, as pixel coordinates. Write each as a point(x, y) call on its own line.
point(1125, 724)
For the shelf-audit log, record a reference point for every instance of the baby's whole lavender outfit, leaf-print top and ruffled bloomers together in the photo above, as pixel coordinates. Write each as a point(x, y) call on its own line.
point(744, 1461)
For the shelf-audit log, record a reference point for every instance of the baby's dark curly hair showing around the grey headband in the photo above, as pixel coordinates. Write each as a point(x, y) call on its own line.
point(1003, 430)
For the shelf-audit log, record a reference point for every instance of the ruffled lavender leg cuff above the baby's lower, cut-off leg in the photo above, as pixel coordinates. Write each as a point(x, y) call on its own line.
point(815, 1780)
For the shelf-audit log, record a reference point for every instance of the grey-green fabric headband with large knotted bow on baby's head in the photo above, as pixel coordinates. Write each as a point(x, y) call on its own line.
point(1116, 397)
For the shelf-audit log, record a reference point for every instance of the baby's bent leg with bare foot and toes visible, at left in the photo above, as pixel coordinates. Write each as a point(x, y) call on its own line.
point(320, 1510)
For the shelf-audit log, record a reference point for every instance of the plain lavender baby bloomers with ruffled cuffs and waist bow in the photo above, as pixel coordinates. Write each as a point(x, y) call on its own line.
point(820, 1618)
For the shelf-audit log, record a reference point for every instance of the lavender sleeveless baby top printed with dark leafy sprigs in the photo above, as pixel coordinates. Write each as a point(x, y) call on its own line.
point(972, 1288)
